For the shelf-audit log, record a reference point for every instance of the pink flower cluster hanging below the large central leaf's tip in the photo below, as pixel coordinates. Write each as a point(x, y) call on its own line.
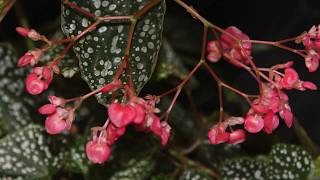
point(139, 112)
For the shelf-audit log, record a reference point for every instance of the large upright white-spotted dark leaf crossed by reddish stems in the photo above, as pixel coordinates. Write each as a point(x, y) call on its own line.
point(101, 51)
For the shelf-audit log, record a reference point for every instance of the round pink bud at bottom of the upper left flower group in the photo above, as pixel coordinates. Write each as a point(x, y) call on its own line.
point(34, 85)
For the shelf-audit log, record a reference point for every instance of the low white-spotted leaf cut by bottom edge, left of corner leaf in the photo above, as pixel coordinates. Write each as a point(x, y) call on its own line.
point(243, 169)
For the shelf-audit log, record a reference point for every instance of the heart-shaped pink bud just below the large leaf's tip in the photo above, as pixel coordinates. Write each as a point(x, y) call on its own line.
point(121, 114)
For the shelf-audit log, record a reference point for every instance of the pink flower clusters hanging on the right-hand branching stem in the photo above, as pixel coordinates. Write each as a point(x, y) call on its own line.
point(272, 101)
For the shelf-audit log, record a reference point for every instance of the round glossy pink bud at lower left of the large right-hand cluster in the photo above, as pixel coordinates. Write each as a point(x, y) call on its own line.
point(253, 123)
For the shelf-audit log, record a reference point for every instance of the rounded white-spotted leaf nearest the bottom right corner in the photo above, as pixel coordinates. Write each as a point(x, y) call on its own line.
point(289, 162)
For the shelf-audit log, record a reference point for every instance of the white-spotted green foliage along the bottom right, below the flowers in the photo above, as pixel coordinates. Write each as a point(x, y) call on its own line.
point(284, 162)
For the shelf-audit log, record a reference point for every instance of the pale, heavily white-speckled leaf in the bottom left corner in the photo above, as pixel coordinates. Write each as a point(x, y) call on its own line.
point(26, 153)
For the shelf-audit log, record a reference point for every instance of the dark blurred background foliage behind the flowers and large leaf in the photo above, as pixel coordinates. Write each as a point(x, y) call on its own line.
point(188, 155)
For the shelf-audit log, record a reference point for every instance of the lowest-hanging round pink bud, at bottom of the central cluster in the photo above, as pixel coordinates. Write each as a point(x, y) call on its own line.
point(97, 152)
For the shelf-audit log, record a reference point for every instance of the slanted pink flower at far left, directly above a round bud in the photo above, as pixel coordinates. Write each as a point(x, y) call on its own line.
point(31, 57)
